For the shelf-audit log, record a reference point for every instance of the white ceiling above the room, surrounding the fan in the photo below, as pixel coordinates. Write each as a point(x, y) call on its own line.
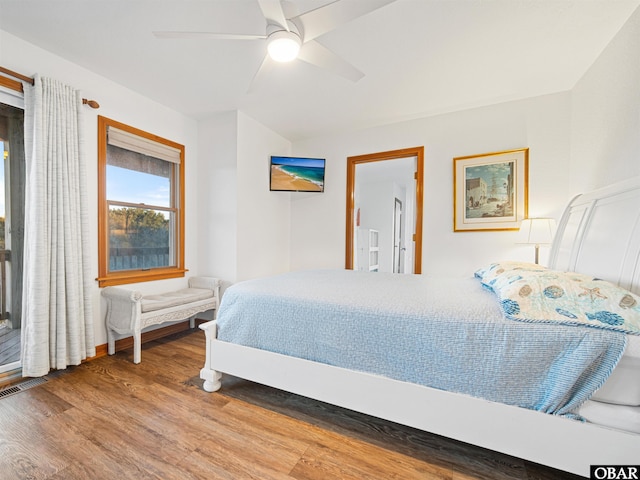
point(420, 57)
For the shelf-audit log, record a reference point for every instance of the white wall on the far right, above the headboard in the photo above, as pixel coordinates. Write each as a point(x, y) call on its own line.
point(605, 136)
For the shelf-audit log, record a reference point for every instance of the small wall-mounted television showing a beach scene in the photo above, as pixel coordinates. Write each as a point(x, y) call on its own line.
point(296, 174)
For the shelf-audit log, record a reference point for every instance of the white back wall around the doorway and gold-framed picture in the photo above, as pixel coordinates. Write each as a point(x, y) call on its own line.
point(542, 124)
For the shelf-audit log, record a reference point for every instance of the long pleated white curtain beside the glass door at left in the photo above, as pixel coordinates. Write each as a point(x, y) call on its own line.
point(57, 320)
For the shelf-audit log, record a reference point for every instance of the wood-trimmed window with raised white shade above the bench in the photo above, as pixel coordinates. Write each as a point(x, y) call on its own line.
point(141, 205)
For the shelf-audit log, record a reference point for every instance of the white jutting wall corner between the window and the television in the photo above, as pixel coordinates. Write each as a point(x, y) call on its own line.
point(244, 228)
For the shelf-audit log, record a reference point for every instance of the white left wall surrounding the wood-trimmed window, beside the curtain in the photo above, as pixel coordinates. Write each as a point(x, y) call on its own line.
point(125, 106)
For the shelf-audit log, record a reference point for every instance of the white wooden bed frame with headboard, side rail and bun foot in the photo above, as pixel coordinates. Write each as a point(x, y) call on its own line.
point(599, 234)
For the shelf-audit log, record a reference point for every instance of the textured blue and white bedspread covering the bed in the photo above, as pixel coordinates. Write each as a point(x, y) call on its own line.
point(448, 334)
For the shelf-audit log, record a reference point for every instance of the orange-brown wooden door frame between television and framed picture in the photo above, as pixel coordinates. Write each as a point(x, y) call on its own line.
point(352, 162)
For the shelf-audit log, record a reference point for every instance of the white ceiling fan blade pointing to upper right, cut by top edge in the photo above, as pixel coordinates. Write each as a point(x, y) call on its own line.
point(326, 18)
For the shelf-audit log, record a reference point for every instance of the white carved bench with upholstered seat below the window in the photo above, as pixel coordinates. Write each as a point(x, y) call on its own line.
point(129, 312)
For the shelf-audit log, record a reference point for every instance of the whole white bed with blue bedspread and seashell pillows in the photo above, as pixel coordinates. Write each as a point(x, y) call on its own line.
point(573, 411)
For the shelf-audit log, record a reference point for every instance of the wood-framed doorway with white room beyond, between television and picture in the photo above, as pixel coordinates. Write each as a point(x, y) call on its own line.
point(371, 208)
